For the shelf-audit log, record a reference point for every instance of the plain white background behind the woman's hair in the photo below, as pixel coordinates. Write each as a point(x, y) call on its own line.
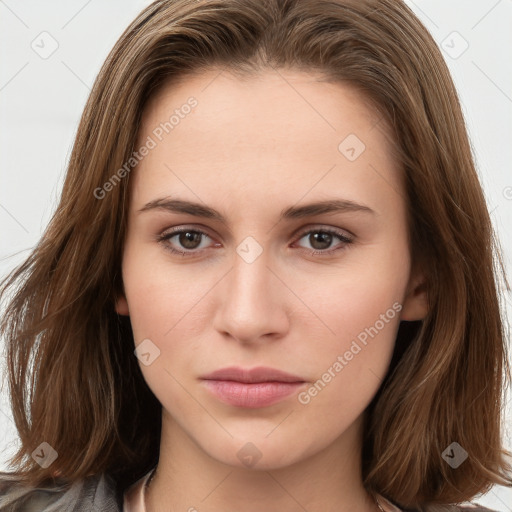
point(41, 101)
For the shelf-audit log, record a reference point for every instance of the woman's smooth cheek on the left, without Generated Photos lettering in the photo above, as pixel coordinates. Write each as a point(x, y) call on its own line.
point(162, 305)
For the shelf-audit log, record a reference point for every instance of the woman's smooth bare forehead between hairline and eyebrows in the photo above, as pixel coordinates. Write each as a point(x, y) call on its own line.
point(277, 130)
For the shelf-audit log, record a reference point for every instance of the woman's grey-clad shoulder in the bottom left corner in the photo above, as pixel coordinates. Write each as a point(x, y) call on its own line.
point(96, 492)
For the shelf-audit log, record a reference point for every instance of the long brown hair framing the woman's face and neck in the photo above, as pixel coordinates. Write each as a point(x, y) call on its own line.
point(73, 378)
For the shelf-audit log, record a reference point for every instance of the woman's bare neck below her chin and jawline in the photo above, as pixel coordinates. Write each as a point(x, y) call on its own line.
point(189, 479)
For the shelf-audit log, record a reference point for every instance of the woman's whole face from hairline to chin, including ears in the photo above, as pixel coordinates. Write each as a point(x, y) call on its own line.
point(293, 255)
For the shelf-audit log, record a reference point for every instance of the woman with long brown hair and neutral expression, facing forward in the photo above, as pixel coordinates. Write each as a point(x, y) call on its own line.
point(271, 281)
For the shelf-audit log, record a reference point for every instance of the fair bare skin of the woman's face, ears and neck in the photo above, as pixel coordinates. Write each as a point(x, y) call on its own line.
point(250, 149)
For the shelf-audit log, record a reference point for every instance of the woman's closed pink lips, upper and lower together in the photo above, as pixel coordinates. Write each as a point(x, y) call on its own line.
point(251, 388)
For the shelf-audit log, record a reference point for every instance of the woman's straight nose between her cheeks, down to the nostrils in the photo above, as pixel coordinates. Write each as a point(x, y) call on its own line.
point(252, 302)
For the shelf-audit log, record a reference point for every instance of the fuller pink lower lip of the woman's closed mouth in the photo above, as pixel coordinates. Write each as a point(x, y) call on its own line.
point(251, 395)
